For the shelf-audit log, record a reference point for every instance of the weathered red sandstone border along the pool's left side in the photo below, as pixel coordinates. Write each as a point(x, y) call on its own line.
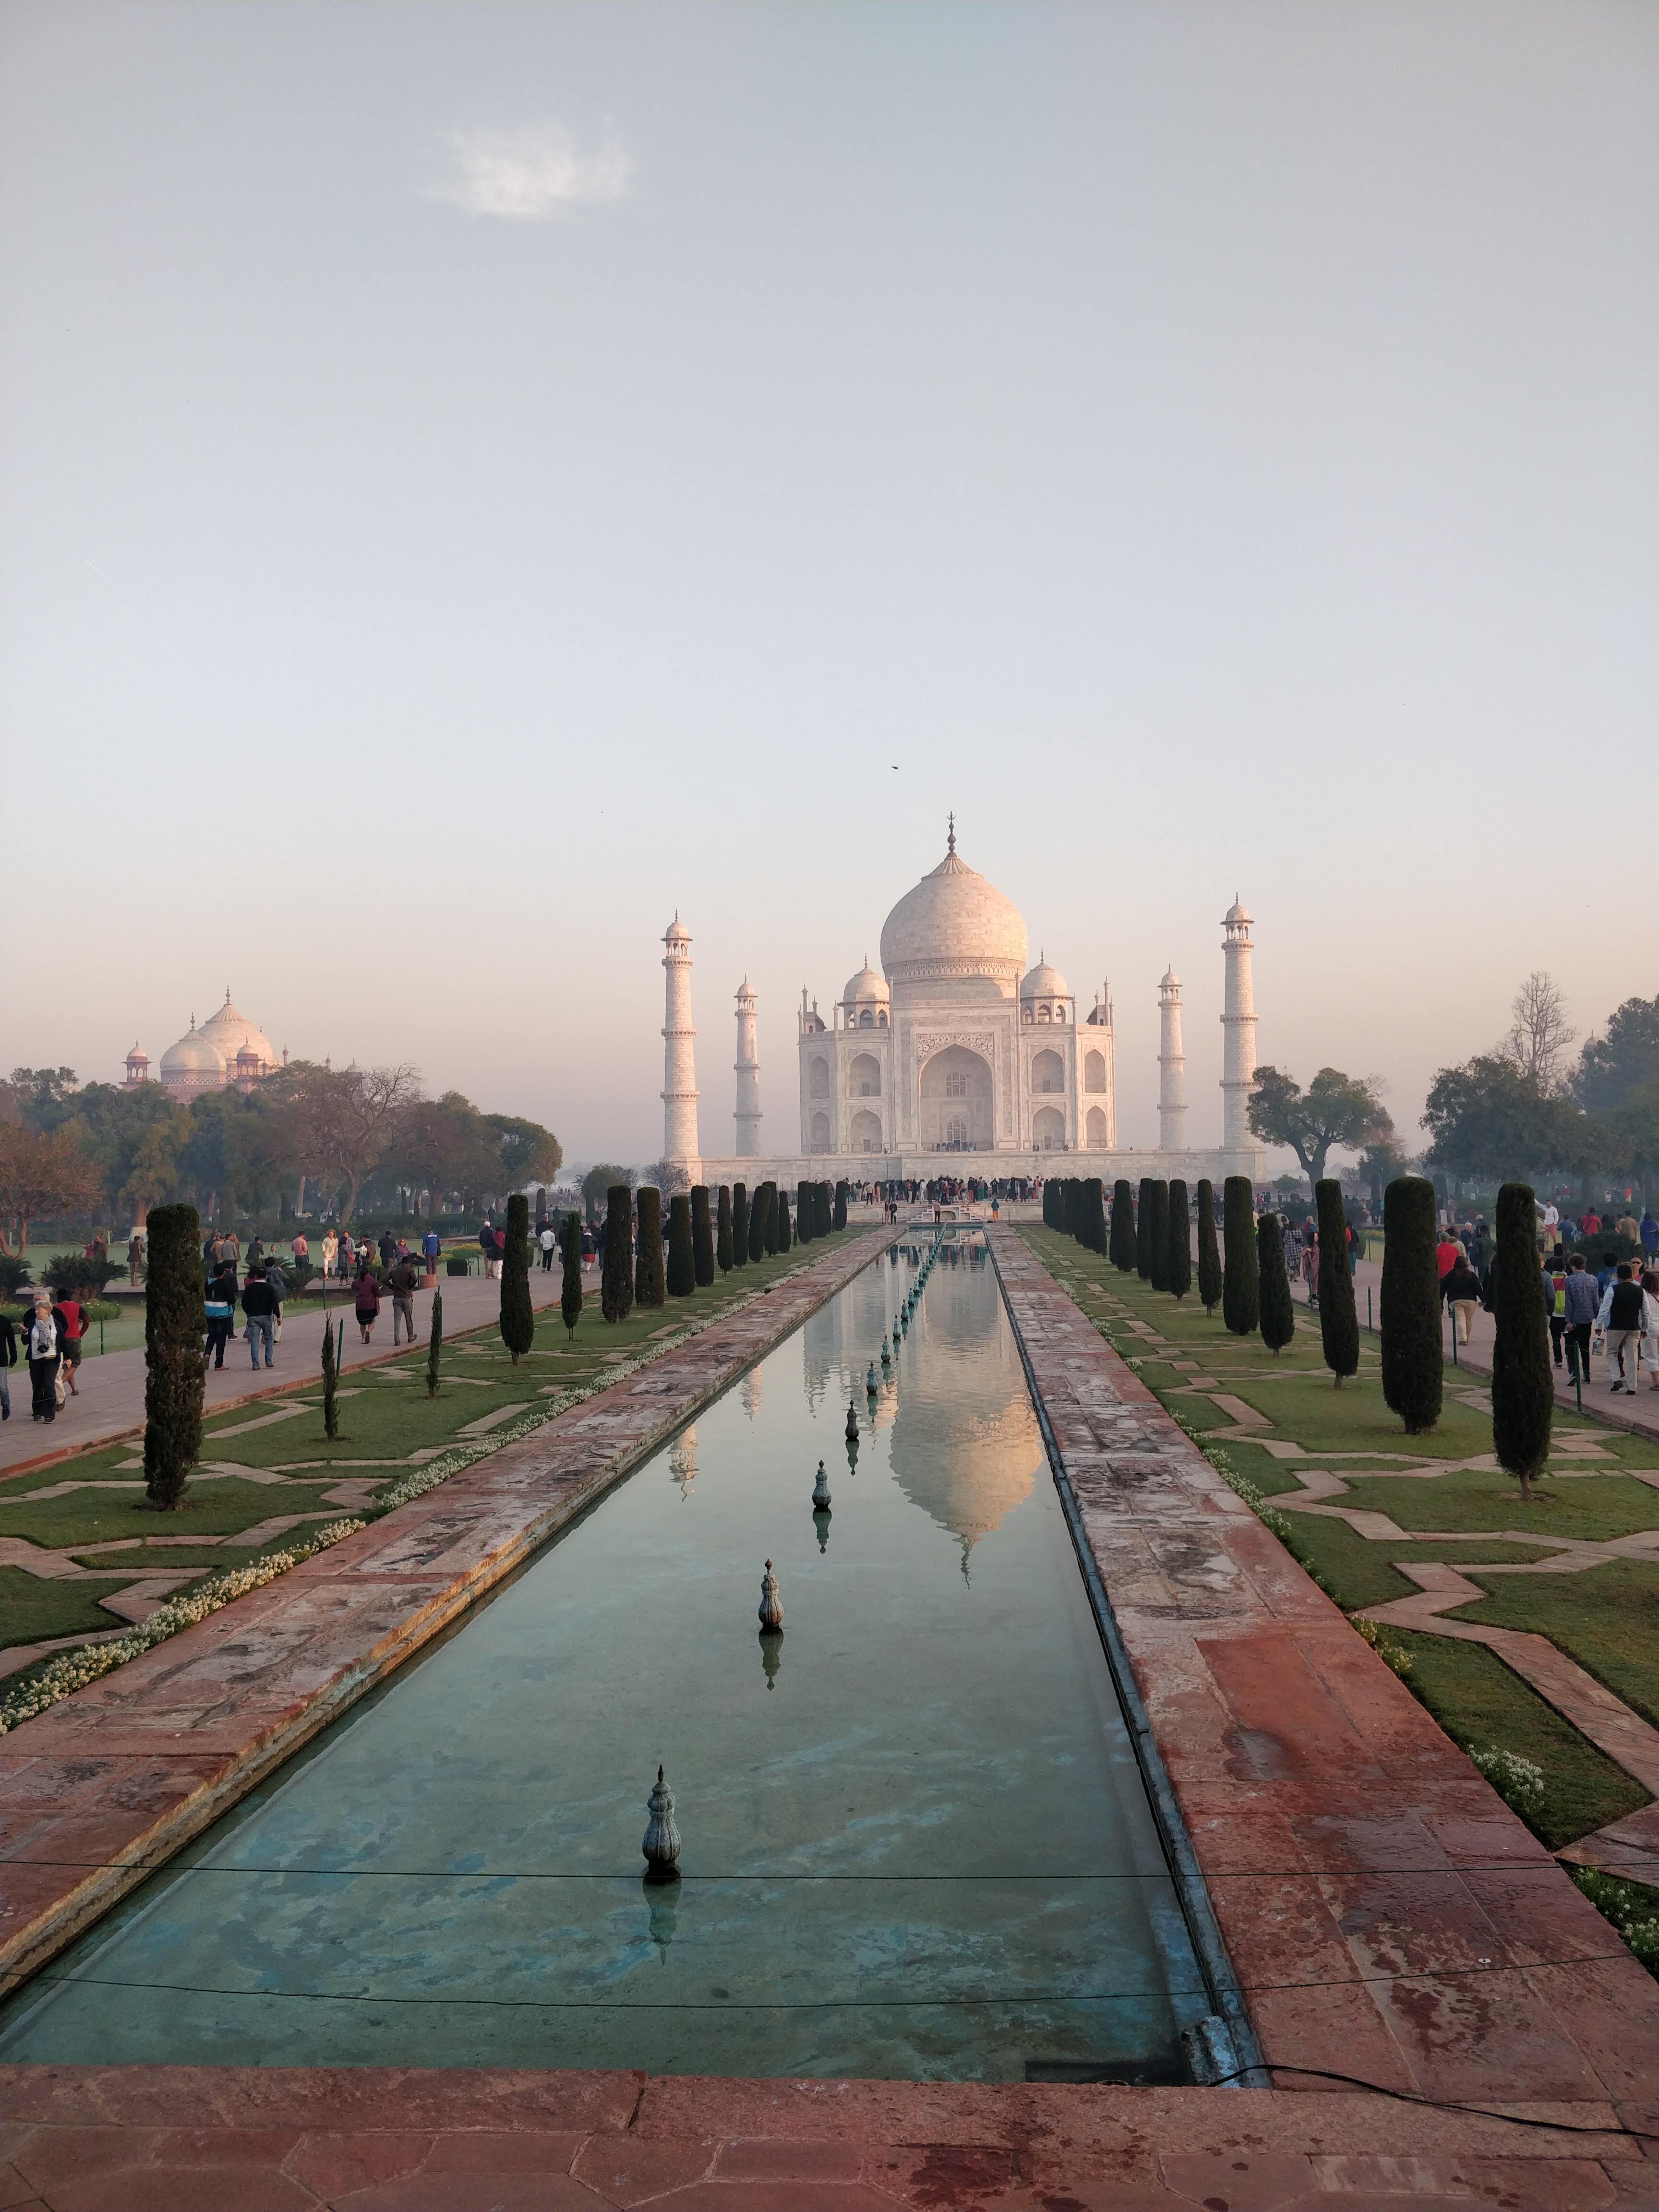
point(112, 1782)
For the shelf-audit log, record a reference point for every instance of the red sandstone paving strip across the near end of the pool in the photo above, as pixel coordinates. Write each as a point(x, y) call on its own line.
point(384, 2140)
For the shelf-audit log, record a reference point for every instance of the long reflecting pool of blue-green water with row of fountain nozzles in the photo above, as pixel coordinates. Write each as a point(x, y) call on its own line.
point(915, 1835)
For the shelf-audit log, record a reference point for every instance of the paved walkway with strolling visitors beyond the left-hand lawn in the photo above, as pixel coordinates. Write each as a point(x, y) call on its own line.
point(112, 1388)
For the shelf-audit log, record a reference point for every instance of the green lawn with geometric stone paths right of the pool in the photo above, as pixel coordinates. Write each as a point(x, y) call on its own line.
point(1603, 1618)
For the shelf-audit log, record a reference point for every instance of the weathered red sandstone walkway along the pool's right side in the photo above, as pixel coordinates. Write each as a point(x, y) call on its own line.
point(1386, 1914)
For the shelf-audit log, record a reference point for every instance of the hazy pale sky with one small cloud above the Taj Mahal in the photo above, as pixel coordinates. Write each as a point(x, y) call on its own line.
point(481, 479)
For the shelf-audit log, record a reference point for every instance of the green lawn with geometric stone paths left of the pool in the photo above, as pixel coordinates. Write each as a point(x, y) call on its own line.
point(384, 1415)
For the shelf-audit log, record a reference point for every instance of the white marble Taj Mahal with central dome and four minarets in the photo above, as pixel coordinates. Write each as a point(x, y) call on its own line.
point(957, 1047)
